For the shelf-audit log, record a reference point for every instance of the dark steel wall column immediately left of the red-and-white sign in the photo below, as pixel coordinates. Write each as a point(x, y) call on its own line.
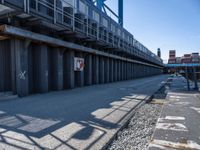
point(69, 75)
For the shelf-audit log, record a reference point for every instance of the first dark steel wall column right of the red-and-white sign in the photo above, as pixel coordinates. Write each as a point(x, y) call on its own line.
point(88, 69)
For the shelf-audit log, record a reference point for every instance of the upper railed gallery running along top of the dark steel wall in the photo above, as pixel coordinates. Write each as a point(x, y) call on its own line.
point(69, 17)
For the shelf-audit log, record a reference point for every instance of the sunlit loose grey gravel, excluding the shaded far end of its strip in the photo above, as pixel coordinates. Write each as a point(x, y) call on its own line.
point(139, 130)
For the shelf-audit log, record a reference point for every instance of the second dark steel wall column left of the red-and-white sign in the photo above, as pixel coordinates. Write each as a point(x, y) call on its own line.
point(57, 69)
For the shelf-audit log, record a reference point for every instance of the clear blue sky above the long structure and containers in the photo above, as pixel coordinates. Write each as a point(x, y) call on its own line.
point(167, 24)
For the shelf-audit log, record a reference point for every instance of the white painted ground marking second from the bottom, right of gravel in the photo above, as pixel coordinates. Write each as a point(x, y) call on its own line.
point(172, 126)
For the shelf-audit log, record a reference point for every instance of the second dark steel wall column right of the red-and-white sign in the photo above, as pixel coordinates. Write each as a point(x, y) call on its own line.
point(95, 69)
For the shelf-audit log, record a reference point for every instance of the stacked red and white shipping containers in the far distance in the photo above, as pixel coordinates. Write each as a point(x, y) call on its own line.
point(186, 58)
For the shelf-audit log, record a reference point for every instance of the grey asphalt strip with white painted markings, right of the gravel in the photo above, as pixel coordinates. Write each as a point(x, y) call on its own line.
point(179, 124)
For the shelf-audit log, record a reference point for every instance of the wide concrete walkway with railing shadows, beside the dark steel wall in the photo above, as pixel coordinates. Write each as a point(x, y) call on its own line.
point(82, 118)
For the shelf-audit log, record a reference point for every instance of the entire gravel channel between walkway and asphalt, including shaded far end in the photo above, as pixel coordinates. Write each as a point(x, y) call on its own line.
point(137, 133)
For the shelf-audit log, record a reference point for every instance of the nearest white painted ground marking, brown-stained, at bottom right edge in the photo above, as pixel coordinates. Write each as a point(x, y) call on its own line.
point(169, 144)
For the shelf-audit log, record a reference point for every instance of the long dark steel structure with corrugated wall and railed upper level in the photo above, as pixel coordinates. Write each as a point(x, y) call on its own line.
point(48, 45)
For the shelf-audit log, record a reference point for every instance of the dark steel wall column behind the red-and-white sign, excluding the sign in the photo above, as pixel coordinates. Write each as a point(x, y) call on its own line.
point(79, 75)
